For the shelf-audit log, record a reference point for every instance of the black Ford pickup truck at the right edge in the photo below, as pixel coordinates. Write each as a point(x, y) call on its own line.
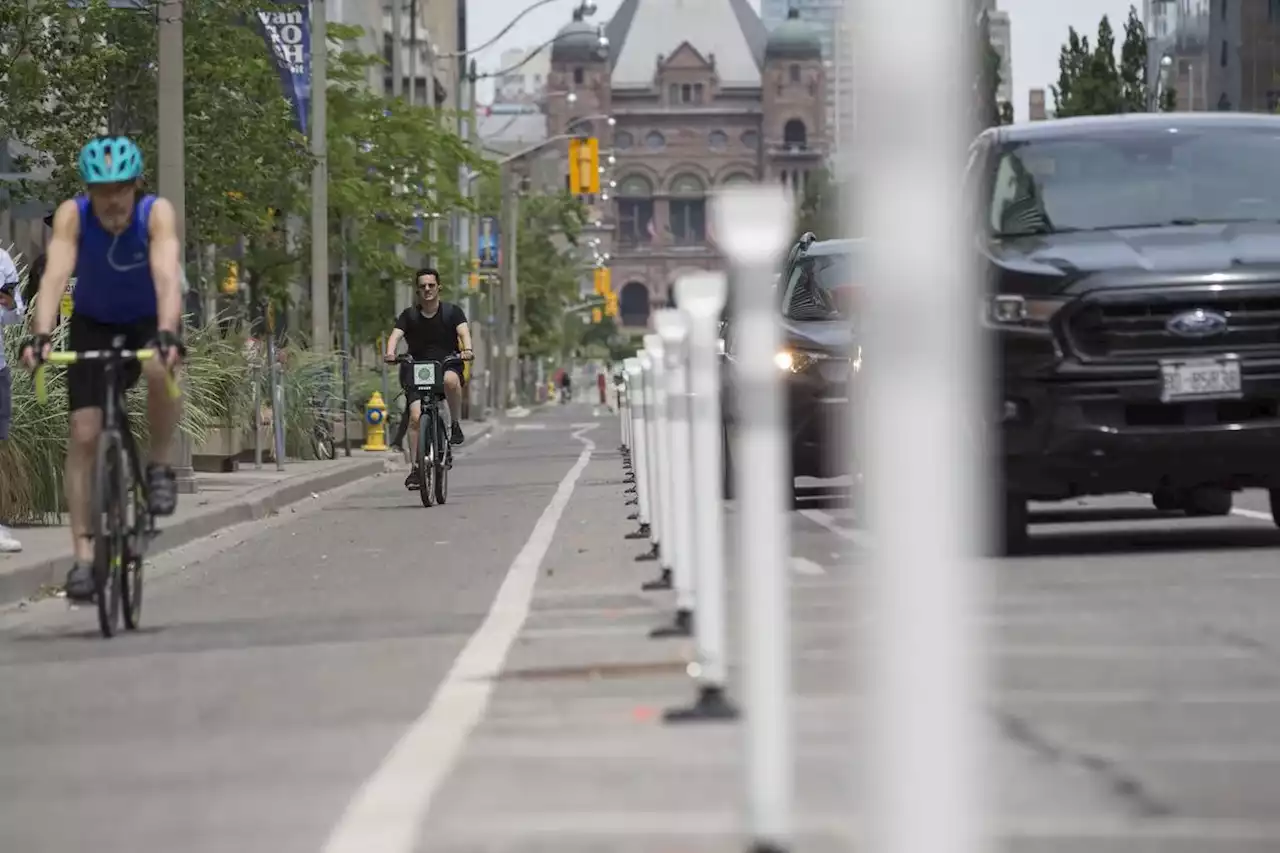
point(1133, 266)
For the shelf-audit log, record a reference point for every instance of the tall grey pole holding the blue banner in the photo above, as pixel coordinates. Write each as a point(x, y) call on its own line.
point(321, 329)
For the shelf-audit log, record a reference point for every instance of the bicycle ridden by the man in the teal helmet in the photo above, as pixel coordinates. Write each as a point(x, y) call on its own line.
point(122, 521)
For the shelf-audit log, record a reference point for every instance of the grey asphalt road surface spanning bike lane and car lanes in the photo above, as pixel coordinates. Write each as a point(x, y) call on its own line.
point(281, 696)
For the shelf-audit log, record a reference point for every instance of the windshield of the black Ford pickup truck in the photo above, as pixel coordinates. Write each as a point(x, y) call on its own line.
point(1137, 177)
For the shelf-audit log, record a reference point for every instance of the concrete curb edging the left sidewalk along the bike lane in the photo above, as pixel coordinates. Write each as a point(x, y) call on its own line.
point(254, 505)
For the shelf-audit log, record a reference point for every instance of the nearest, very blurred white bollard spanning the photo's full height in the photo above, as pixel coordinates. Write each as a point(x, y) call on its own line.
point(924, 663)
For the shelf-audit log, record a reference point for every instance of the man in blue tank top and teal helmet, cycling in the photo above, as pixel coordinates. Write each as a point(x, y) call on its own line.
point(124, 248)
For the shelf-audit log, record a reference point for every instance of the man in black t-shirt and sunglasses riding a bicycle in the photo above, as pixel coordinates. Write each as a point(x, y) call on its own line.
point(431, 330)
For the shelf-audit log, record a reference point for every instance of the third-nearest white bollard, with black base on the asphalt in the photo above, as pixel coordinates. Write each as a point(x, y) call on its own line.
point(702, 299)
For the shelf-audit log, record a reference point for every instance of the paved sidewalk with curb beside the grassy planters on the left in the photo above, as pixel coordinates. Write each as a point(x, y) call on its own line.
point(222, 501)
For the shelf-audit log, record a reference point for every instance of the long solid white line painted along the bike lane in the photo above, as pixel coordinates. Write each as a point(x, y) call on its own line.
point(388, 813)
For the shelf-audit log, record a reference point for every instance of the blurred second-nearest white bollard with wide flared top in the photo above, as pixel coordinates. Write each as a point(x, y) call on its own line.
point(753, 226)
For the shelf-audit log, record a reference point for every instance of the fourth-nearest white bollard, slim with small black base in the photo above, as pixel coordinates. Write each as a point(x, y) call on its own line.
point(674, 330)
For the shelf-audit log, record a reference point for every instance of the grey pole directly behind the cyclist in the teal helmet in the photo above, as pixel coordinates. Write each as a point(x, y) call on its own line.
point(171, 167)
